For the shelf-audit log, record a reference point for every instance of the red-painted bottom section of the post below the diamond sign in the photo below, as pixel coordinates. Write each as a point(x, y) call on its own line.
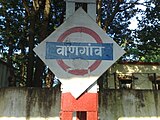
point(88, 103)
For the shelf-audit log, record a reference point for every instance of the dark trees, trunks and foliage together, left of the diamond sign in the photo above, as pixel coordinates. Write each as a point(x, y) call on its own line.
point(24, 24)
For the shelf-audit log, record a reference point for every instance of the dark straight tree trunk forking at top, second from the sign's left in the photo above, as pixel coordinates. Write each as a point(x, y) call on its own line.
point(31, 13)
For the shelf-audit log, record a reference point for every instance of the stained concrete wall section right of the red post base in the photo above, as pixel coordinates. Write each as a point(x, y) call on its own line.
point(129, 105)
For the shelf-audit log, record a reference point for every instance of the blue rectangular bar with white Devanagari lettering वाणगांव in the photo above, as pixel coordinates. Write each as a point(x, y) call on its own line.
point(74, 50)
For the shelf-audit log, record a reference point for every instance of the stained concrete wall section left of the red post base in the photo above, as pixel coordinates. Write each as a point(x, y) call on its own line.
point(29, 104)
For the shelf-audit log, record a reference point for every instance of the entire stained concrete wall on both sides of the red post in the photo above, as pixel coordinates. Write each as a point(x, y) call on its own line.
point(44, 104)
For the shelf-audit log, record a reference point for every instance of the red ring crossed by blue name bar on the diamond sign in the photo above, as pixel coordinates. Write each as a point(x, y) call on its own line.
point(79, 52)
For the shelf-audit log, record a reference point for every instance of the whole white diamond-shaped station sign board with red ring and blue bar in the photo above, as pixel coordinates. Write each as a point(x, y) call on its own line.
point(78, 52)
